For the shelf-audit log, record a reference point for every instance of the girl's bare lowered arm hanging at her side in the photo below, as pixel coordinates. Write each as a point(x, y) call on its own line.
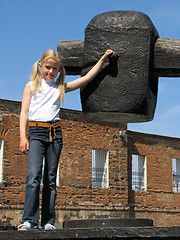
point(24, 145)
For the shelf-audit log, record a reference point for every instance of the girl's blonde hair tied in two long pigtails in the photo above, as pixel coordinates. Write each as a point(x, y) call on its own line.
point(36, 75)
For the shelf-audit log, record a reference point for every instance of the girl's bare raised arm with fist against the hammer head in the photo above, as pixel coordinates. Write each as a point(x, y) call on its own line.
point(73, 85)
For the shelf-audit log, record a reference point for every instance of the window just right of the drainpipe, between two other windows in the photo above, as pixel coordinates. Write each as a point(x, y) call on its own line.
point(138, 173)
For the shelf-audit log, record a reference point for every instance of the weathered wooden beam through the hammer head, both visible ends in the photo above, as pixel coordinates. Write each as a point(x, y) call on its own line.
point(166, 57)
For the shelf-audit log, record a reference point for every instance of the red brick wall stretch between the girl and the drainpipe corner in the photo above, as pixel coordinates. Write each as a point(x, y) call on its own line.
point(75, 191)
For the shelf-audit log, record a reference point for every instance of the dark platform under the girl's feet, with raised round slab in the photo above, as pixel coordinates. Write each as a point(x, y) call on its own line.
point(115, 228)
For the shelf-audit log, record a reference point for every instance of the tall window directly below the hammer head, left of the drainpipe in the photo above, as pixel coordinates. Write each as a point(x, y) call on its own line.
point(100, 174)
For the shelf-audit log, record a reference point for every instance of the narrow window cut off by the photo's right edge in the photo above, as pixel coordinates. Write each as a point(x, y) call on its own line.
point(176, 174)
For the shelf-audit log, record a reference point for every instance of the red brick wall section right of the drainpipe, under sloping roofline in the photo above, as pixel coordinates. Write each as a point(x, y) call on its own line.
point(159, 202)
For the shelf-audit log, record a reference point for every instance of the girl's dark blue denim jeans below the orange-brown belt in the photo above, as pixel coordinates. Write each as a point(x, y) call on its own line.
point(40, 148)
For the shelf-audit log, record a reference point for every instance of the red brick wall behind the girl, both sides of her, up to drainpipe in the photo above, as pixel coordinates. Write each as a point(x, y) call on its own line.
point(75, 191)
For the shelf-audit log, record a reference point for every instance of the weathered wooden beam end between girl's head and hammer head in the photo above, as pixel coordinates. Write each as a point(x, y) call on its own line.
point(71, 52)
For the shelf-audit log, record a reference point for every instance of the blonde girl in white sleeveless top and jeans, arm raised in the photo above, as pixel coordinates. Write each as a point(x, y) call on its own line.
point(40, 107)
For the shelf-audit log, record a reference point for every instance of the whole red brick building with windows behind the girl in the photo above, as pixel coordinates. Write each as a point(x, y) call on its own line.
point(104, 171)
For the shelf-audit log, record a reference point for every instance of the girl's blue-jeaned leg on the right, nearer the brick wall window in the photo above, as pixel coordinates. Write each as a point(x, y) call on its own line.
point(49, 181)
